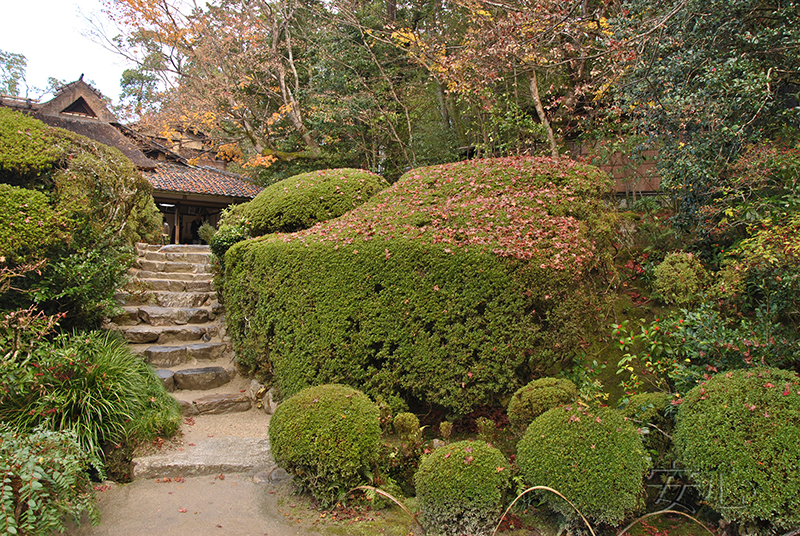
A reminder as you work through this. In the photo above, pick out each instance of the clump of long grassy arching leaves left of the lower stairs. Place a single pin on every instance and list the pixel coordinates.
(91, 384)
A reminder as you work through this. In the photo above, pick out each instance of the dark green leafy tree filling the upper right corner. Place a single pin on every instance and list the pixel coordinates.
(711, 78)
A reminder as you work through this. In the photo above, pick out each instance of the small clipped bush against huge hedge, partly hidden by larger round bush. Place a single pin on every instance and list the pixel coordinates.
(537, 397)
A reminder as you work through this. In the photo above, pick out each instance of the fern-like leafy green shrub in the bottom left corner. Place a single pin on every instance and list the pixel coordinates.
(43, 481)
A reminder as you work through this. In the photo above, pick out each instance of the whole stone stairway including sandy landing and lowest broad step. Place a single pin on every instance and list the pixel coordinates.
(171, 317)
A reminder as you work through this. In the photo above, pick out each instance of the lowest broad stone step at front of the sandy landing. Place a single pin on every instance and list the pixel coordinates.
(209, 456)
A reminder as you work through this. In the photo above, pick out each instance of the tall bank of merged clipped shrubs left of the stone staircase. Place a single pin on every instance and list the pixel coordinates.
(92, 203)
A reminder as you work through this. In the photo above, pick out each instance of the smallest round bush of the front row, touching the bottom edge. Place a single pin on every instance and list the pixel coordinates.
(461, 487)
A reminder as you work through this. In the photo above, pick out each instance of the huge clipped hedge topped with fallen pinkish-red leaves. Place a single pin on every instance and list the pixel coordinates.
(455, 286)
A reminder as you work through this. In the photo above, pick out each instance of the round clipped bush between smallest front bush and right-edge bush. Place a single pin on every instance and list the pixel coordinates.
(593, 457)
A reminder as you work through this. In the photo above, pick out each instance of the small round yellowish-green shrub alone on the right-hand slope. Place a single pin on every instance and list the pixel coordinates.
(679, 279)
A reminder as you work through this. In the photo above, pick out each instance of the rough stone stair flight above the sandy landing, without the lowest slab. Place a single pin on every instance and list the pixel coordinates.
(172, 317)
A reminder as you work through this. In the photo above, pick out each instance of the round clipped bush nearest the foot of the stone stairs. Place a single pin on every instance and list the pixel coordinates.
(328, 437)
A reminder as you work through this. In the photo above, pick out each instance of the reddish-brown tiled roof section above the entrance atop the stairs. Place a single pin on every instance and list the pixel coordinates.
(200, 180)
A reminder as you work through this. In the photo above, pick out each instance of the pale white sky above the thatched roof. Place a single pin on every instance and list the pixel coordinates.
(51, 35)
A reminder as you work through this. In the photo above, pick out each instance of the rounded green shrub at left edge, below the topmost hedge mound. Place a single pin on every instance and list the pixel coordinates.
(29, 225)
